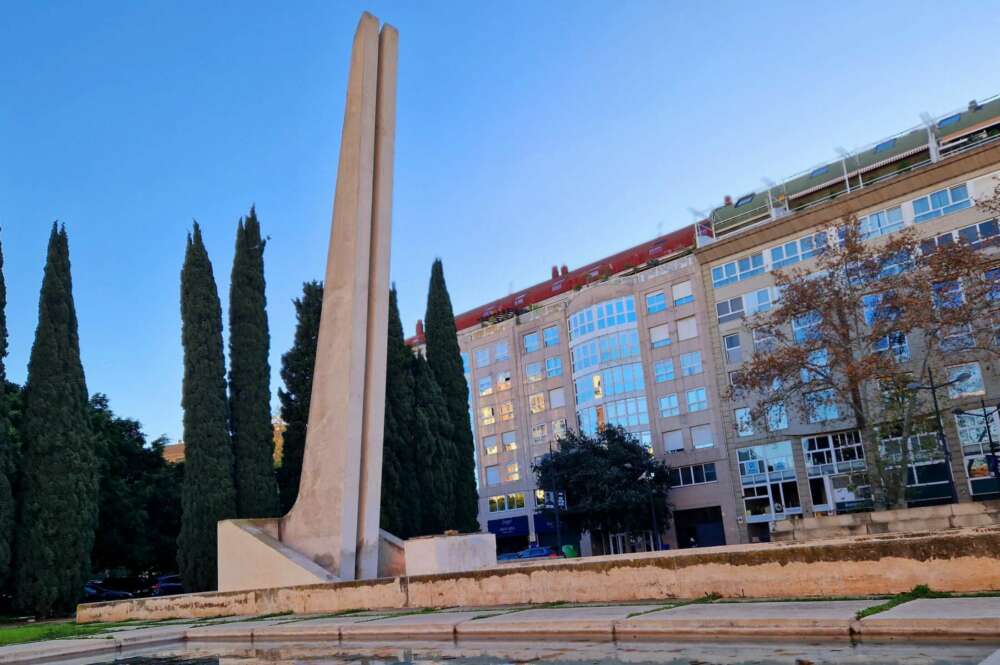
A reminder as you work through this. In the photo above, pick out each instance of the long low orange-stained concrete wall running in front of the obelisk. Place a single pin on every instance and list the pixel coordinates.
(959, 560)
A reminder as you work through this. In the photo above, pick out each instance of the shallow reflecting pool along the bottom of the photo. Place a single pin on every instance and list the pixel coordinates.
(582, 653)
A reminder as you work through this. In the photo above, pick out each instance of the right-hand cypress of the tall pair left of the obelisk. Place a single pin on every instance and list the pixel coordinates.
(250, 377)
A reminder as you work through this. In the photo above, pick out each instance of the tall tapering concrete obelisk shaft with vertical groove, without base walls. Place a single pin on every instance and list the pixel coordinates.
(335, 521)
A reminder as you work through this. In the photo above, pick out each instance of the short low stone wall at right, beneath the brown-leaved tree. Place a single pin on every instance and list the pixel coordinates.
(926, 519)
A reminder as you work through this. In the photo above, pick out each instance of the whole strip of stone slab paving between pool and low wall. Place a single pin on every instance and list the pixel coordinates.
(941, 619)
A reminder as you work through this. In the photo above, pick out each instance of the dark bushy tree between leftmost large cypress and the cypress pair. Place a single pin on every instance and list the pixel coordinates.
(139, 502)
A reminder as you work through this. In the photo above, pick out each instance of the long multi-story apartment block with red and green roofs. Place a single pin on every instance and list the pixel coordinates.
(648, 339)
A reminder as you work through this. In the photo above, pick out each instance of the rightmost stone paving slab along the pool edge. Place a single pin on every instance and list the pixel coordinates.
(937, 617)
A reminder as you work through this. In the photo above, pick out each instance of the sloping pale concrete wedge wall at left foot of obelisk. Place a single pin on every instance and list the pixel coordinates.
(253, 557)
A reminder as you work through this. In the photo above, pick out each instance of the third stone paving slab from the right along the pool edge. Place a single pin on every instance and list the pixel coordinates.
(569, 621)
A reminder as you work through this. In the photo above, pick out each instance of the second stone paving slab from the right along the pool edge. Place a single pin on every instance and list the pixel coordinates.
(814, 619)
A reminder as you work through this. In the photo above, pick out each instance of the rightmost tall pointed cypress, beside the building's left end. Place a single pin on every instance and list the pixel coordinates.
(445, 361)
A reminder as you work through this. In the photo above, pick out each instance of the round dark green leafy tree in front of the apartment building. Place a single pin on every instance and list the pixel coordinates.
(609, 481)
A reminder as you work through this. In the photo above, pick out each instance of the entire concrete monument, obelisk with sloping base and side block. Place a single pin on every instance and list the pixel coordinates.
(332, 532)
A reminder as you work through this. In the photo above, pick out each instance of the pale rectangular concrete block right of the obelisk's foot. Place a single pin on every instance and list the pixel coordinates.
(431, 555)
